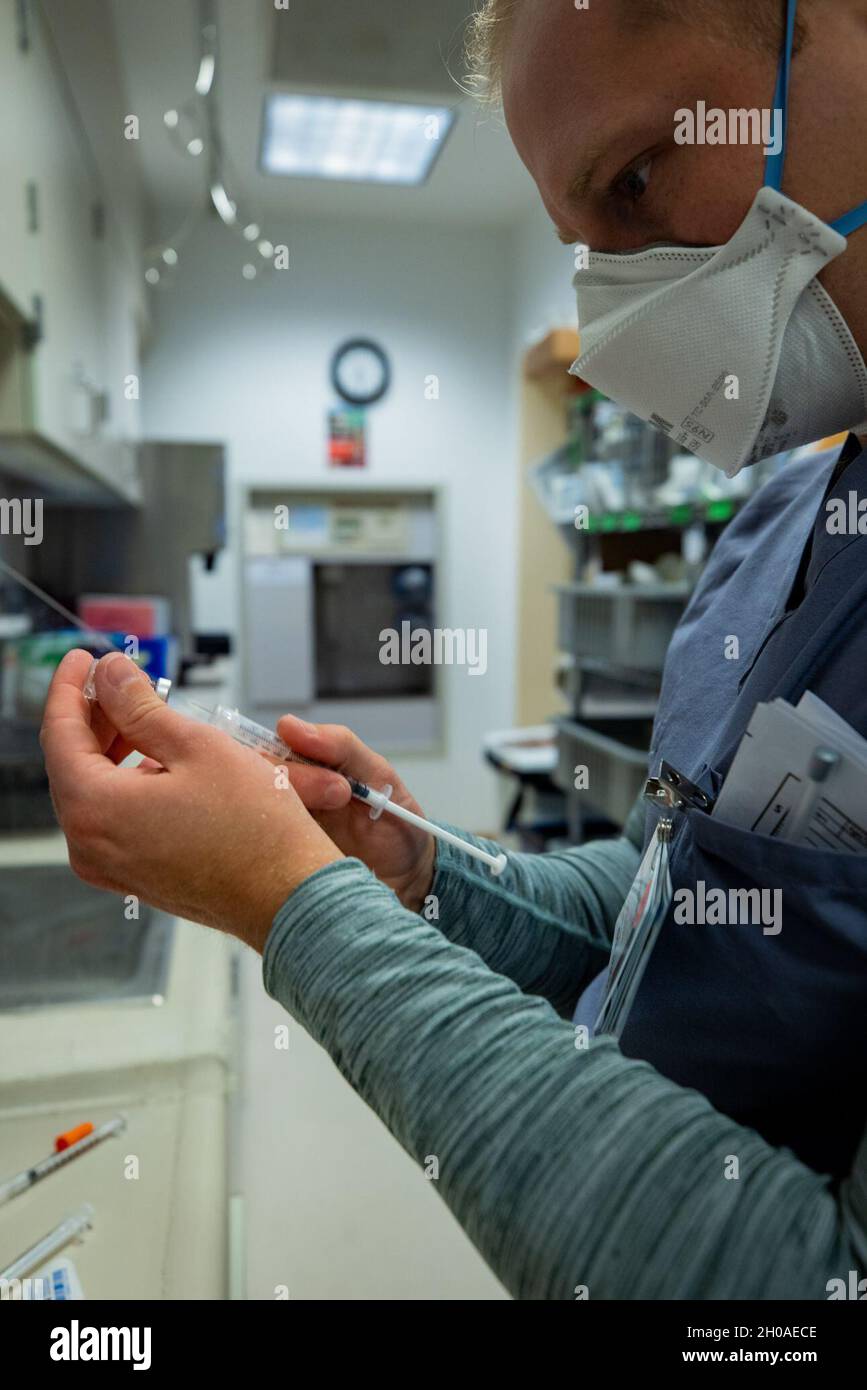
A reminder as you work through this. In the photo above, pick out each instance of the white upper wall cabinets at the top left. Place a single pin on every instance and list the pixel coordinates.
(60, 269)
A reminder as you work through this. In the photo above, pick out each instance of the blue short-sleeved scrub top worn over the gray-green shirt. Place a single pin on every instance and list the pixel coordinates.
(769, 1028)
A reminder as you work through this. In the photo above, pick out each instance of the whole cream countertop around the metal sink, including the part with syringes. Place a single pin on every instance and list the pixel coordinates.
(160, 1191)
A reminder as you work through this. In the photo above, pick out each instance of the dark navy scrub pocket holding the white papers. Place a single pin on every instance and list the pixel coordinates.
(757, 990)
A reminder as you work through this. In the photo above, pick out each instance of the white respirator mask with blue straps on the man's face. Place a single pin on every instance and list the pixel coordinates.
(736, 352)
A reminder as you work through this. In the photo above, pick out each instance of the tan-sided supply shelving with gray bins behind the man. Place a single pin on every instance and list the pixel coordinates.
(591, 654)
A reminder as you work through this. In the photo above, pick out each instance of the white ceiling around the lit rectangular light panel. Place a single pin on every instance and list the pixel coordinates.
(479, 181)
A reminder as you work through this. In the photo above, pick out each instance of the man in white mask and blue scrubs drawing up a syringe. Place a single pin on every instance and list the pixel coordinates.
(448, 999)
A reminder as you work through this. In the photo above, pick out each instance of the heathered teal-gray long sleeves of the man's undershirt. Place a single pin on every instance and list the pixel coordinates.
(575, 1171)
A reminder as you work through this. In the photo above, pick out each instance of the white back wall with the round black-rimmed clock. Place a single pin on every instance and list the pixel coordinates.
(248, 365)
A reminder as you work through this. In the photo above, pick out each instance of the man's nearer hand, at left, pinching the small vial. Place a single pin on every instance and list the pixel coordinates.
(202, 829)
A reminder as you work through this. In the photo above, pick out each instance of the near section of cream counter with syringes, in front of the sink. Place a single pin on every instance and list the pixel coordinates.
(159, 1191)
